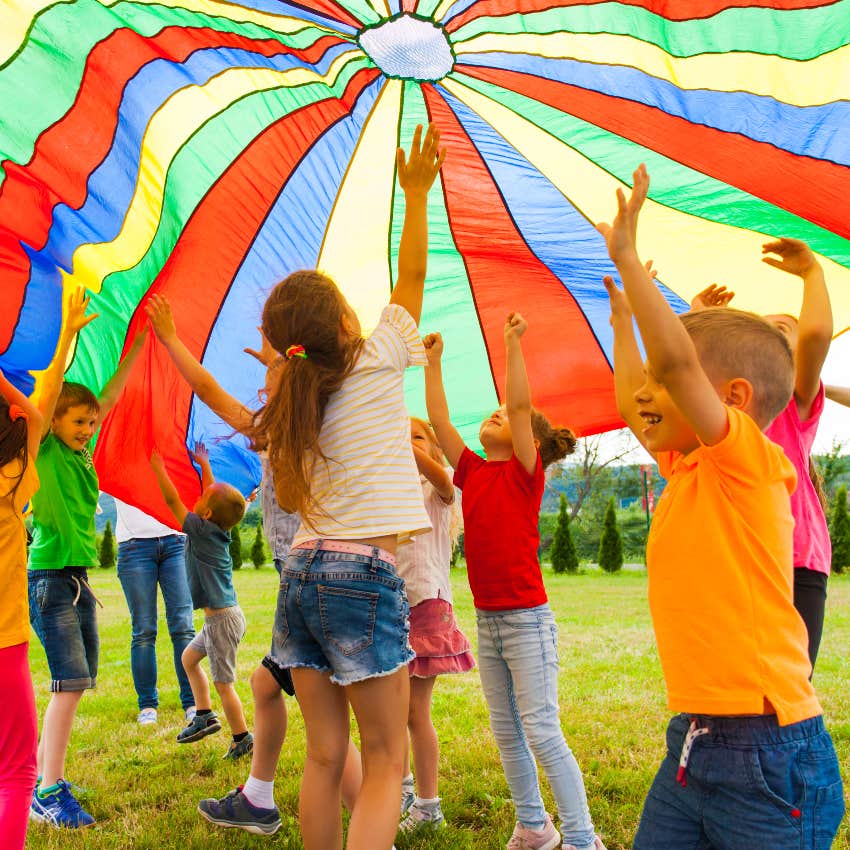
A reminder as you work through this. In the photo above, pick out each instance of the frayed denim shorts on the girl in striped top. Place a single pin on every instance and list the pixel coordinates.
(342, 613)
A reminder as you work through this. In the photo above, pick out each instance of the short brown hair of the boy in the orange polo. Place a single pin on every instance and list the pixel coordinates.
(736, 344)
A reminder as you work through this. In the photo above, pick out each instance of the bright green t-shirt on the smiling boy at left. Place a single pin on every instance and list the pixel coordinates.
(63, 508)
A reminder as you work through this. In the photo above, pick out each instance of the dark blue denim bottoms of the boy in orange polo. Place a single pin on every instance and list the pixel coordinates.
(750, 783)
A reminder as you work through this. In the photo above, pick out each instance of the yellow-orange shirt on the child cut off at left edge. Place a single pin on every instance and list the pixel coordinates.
(14, 607)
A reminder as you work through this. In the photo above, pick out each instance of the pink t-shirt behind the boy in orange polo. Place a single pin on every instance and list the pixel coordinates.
(812, 547)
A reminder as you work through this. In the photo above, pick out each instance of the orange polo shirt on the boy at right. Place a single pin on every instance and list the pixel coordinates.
(720, 565)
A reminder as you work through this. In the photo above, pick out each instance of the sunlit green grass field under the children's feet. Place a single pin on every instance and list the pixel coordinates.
(143, 788)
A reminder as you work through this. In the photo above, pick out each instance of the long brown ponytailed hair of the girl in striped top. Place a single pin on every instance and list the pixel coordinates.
(306, 309)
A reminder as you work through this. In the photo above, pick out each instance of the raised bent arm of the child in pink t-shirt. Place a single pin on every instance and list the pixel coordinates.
(814, 328)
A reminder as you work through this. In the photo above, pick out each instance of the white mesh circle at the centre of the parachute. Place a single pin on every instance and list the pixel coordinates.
(409, 48)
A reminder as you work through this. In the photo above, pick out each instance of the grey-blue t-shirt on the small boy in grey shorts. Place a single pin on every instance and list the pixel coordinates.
(209, 567)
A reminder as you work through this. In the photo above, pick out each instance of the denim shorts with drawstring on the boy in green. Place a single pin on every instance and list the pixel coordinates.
(63, 615)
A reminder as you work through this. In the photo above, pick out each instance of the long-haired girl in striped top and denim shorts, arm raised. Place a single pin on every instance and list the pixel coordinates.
(339, 449)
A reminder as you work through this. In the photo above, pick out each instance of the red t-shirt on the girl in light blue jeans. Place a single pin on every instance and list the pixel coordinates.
(501, 507)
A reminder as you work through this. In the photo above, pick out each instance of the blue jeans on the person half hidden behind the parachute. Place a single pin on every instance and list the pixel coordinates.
(142, 564)
